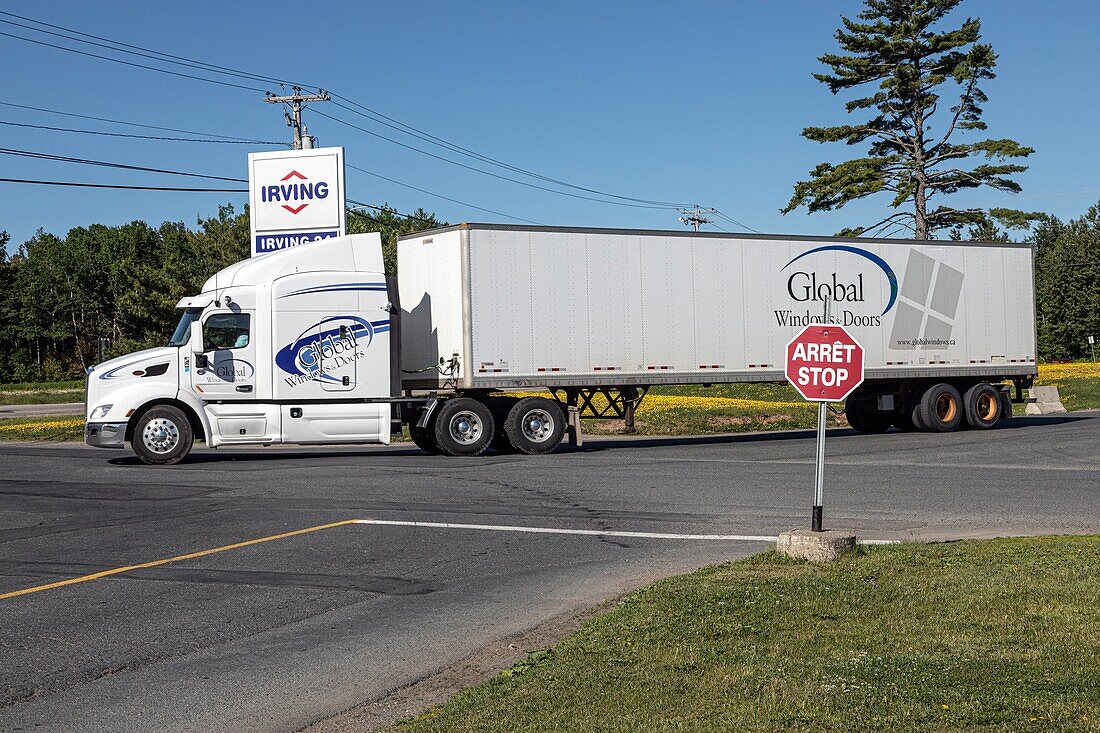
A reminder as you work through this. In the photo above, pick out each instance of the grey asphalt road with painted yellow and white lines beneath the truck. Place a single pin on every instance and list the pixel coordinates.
(277, 636)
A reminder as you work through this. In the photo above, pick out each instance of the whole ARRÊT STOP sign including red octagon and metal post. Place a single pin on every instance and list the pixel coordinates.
(826, 365)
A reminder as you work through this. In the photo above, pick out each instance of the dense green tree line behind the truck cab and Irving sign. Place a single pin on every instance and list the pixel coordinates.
(61, 296)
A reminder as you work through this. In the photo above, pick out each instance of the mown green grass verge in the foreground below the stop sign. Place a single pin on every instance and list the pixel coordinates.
(995, 636)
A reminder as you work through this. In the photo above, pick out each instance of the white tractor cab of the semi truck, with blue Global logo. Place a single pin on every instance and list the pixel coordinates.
(292, 347)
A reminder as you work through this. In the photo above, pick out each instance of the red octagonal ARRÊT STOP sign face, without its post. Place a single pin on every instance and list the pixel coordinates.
(824, 364)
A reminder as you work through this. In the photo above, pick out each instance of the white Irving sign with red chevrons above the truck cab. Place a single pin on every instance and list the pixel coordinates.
(296, 198)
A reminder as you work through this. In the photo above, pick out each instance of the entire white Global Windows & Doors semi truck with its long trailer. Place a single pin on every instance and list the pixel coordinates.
(315, 346)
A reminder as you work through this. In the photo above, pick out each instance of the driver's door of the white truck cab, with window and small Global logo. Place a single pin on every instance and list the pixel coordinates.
(230, 357)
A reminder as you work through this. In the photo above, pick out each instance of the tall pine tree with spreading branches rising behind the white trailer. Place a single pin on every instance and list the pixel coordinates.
(900, 62)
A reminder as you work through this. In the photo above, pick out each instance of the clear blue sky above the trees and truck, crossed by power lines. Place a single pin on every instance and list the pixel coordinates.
(694, 102)
